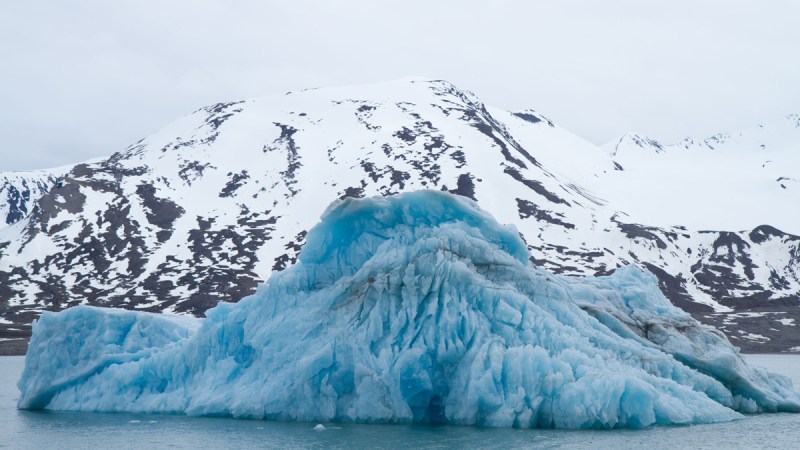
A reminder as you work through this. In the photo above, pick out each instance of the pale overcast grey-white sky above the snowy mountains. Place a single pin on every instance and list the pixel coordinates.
(80, 79)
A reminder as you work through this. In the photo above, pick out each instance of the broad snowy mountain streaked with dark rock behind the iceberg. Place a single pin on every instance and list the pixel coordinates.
(206, 208)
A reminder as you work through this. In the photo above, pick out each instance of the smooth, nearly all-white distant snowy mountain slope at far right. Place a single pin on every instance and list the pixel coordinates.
(728, 181)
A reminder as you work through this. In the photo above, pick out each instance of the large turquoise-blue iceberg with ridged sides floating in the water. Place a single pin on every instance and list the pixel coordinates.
(414, 308)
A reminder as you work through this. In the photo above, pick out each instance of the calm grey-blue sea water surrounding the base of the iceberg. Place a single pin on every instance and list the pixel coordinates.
(42, 429)
